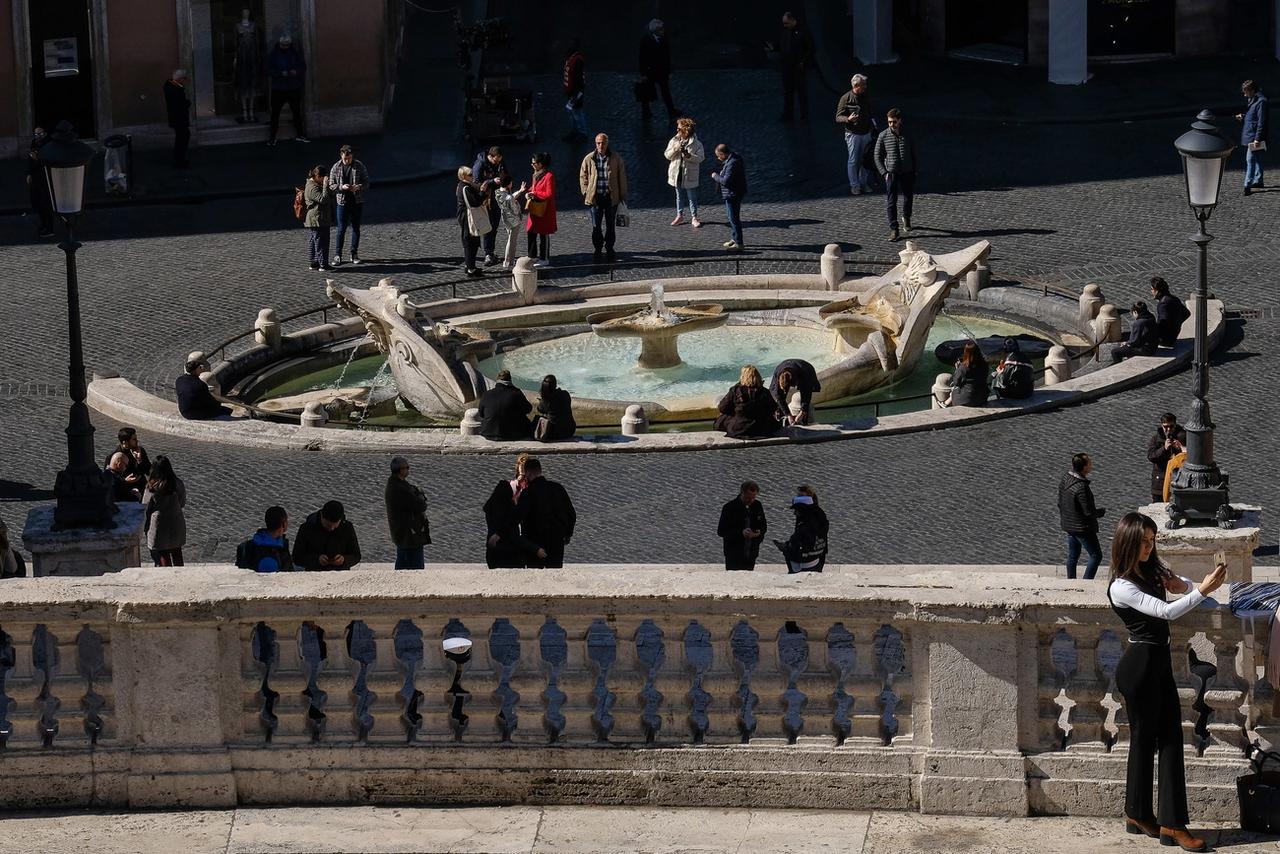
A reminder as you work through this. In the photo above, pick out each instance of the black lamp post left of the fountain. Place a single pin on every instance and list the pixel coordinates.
(83, 490)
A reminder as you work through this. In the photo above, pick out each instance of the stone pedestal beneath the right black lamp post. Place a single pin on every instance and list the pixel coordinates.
(1190, 550)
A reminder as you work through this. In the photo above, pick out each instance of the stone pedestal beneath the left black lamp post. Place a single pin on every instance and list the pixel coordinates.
(84, 551)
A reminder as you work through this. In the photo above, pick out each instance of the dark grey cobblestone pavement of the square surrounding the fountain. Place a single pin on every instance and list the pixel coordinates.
(1066, 205)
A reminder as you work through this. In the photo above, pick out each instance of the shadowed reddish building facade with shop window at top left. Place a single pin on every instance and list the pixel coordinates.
(102, 65)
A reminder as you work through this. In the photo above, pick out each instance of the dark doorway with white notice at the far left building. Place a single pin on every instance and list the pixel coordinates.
(62, 65)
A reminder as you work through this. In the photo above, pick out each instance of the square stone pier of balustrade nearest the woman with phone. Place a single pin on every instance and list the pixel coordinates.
(973, 765)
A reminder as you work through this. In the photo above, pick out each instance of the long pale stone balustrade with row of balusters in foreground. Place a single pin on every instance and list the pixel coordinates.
(940, 689)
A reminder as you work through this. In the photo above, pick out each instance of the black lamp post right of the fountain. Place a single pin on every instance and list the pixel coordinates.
(1199, 490)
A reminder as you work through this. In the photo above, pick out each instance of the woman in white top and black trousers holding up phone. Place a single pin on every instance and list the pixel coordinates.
(1139, 588)
